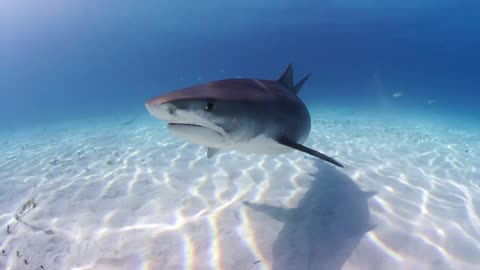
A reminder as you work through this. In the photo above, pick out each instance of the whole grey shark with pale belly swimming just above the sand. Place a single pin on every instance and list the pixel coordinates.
(246, 115)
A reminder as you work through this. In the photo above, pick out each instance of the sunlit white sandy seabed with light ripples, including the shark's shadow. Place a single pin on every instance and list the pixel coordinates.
(115, 196)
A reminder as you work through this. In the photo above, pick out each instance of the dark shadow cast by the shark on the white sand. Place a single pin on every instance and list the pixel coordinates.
(325, 228)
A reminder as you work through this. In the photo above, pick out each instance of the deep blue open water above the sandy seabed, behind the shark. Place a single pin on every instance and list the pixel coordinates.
(62, 60)
